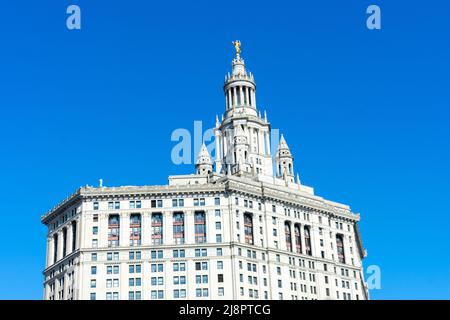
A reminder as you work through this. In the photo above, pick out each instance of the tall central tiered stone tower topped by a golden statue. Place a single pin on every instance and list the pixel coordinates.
(243, 136)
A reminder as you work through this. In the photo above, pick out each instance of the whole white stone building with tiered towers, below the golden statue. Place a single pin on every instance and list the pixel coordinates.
(244, 229)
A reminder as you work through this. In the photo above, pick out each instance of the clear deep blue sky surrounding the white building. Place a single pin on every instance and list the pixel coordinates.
(366, 113)
